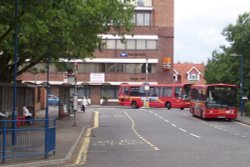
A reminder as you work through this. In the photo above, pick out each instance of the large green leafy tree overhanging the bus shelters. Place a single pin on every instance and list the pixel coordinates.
(67, 28)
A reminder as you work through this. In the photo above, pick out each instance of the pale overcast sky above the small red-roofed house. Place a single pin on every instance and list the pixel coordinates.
(198, 26)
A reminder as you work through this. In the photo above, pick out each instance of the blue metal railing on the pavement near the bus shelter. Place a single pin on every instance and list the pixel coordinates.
(30, 140)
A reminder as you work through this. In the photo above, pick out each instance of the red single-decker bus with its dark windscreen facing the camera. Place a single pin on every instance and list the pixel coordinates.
(214, 101)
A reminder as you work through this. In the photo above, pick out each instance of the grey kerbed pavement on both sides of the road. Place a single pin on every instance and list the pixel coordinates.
(68, 137)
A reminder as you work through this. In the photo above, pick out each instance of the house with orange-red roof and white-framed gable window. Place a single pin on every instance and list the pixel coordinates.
(189, 73)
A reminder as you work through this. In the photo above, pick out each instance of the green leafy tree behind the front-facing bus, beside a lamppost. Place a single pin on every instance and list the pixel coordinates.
(223, 67)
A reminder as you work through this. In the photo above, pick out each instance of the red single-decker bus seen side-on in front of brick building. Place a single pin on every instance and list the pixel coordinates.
(157, 96)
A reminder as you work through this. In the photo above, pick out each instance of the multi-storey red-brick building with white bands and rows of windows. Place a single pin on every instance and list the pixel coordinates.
(145, 56)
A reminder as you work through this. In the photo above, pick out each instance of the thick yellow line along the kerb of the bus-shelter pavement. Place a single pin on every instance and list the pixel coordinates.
(82, 155)
